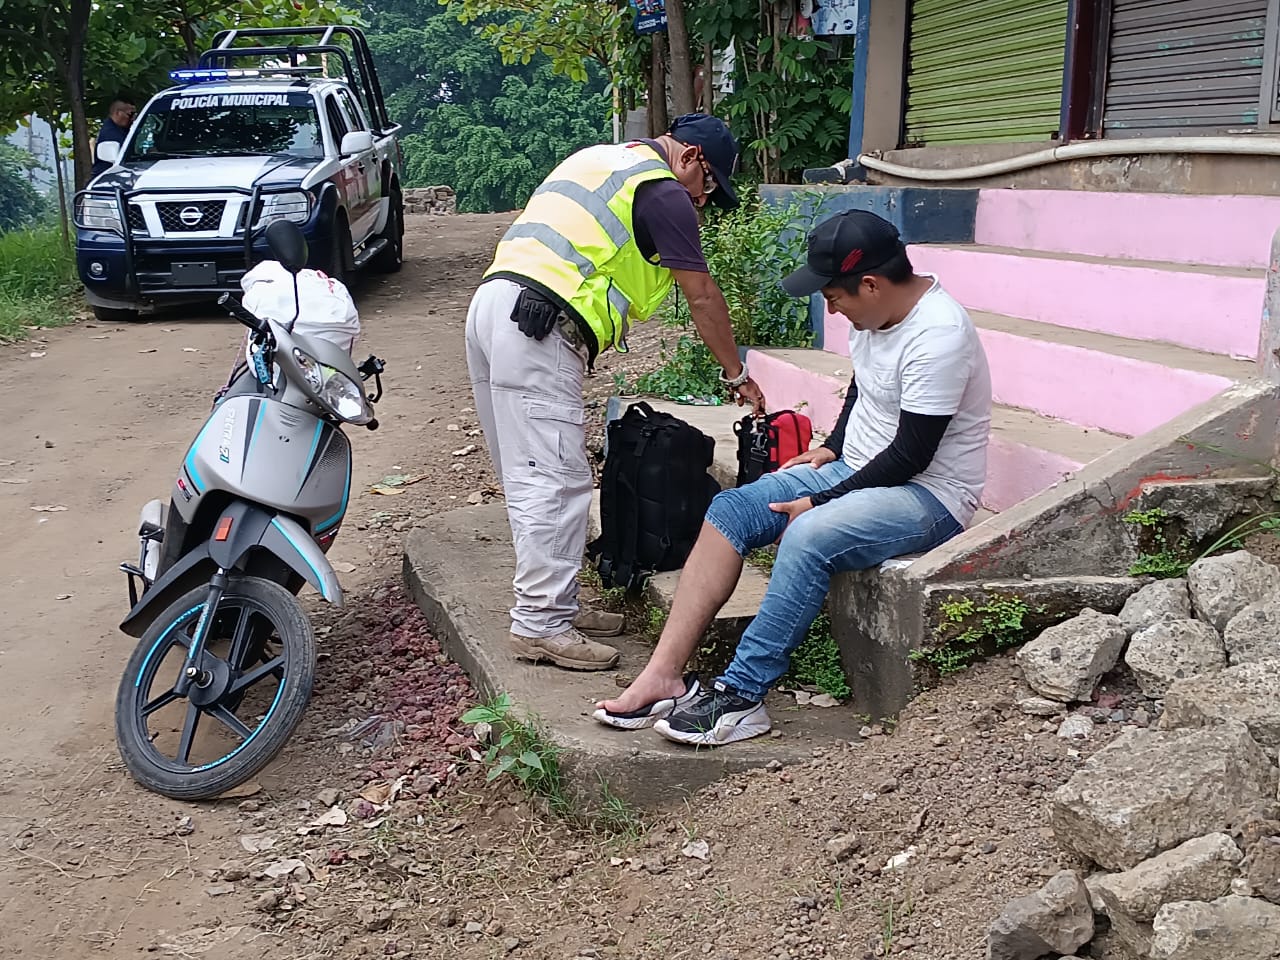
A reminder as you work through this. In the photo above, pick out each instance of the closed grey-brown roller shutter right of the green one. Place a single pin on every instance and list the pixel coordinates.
(1185, 67)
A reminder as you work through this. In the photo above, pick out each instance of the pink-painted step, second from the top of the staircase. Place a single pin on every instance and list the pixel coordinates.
(1218, 310)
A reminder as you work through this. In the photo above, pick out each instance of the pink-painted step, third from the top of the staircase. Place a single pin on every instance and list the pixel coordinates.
(1109, 383)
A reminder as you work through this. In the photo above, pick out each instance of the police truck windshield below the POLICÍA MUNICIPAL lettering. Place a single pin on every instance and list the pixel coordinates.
(228, 125)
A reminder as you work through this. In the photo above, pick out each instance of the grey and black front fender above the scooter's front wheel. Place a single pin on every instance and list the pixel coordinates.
(241, 528)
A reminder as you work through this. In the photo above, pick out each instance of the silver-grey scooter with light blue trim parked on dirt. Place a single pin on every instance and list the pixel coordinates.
(227, 656)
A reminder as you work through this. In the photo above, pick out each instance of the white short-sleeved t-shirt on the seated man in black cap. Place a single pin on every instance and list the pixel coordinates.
(931, 364)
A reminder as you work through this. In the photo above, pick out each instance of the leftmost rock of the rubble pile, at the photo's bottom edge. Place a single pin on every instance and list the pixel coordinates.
(1055, 920)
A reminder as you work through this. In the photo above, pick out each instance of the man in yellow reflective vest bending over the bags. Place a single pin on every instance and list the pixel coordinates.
(598, 248)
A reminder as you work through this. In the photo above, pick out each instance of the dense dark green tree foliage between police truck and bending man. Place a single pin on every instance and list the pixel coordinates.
(490, 131)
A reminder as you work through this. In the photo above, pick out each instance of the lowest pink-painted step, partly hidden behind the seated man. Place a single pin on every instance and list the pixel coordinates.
(1027, 452)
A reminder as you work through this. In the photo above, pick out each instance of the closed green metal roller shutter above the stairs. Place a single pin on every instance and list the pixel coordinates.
(985, 72)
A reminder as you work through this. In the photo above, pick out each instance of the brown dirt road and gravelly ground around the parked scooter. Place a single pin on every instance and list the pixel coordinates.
(92, 866)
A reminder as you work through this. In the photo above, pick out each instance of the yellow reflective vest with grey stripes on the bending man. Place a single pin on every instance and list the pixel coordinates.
(575, 239)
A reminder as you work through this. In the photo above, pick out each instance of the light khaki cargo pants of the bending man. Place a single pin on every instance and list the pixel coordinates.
(529, 399)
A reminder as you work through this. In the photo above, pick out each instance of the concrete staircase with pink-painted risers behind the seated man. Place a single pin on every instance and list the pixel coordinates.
(1105, 318)
